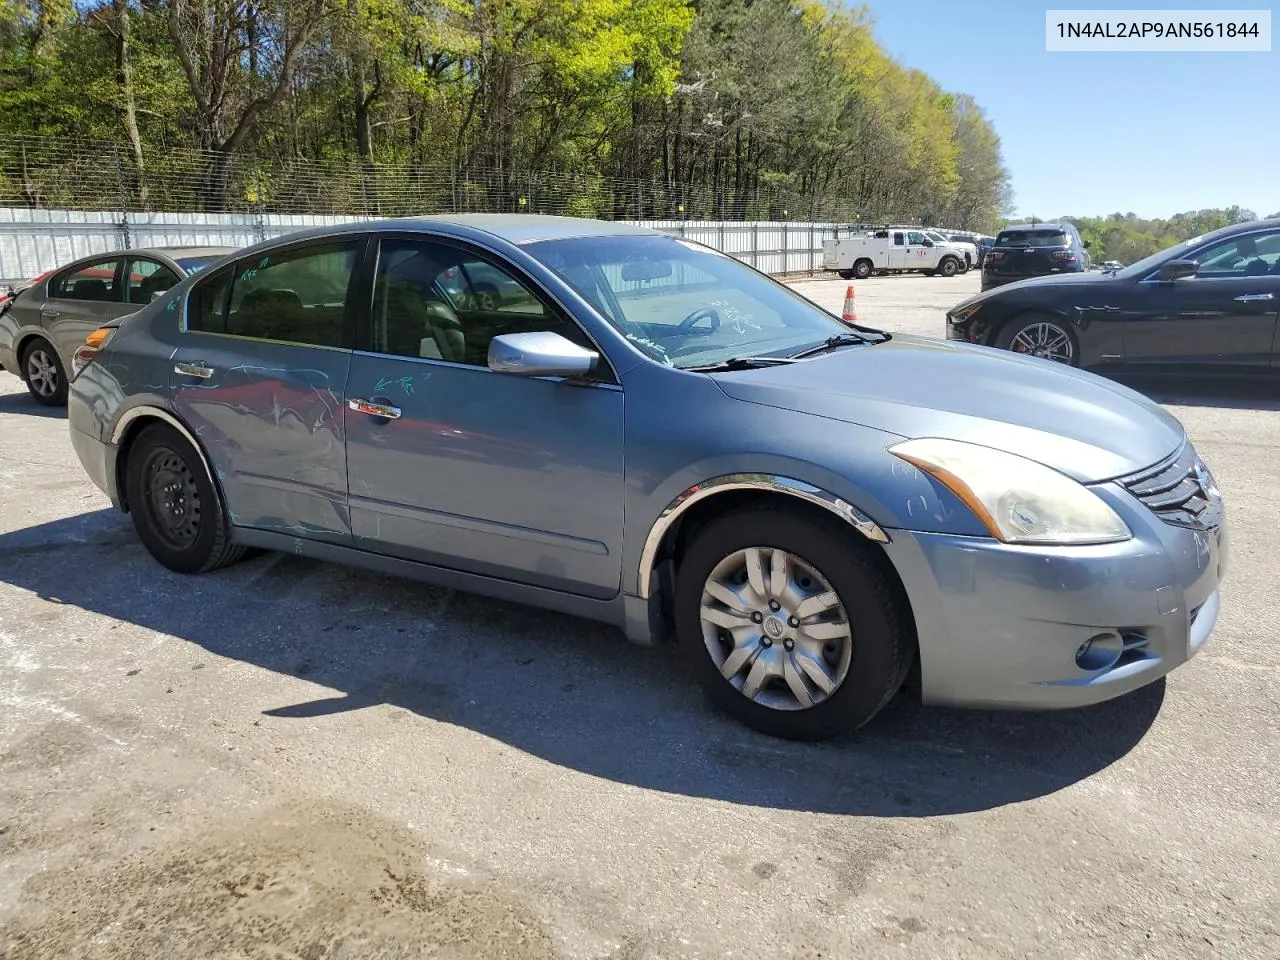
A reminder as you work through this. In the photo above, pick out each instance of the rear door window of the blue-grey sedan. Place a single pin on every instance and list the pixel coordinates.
(298, 295)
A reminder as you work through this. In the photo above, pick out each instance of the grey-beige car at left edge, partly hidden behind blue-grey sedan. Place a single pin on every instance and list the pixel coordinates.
(48, 319)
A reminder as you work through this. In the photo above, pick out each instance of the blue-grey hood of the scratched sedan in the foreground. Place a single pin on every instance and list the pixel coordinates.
(1077, 423)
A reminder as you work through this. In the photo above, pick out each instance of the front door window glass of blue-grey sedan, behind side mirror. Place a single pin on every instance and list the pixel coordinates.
(441, 303)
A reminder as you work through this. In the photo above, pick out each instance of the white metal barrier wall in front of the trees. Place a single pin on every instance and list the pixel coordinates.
(34, 241)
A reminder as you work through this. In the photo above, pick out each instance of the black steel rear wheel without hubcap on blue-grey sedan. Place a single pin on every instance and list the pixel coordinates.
(176, 509)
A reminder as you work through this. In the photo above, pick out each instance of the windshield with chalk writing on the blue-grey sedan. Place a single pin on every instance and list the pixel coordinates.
(683, 304)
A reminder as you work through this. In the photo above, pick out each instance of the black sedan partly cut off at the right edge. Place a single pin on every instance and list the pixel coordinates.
(1210, 303)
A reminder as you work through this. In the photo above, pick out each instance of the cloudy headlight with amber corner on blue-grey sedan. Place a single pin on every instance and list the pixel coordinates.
(1018, 500)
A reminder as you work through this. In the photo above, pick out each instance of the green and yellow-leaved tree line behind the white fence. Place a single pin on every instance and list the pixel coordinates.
(770, 108)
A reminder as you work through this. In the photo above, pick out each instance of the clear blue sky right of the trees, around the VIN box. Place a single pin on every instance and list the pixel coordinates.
(1094, 134)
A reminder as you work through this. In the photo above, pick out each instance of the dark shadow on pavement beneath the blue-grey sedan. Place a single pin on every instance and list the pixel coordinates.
(566, 691)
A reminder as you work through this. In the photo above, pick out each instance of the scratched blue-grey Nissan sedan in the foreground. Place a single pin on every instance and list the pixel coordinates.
(664, 440)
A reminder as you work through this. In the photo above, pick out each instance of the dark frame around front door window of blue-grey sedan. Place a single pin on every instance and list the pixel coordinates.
(605, 374)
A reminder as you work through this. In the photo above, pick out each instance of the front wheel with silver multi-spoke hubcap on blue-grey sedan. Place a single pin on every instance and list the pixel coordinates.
(792, 628)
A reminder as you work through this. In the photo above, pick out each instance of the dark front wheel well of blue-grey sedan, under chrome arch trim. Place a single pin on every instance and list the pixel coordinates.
(685, 529)
